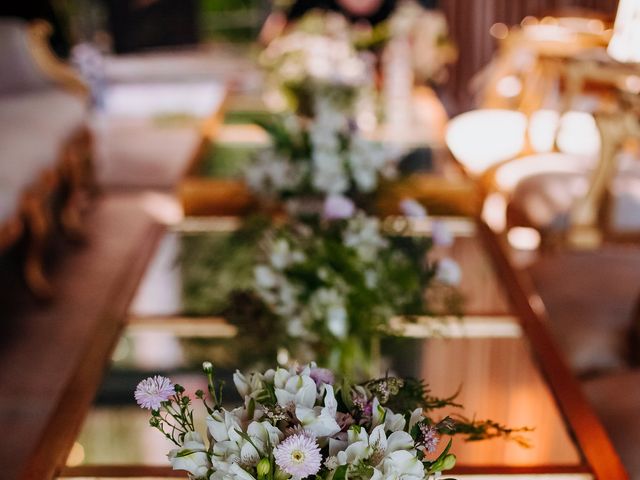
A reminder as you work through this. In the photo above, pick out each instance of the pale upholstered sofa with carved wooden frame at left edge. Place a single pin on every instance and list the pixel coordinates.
(43, 141)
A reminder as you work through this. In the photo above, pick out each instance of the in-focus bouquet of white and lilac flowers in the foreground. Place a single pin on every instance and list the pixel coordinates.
(301, 423)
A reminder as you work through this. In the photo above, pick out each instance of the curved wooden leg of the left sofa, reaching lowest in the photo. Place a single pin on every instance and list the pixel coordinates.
(39, 225)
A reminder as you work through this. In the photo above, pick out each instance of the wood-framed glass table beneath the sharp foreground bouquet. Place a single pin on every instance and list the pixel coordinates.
(499, 353)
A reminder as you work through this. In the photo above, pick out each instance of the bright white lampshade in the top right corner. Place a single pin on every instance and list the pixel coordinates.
(625, 43)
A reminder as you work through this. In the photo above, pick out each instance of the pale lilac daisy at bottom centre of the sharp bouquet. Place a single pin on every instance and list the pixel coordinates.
(299, 456)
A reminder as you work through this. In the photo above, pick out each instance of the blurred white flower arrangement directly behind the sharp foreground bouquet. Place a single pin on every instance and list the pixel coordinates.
(333, 290)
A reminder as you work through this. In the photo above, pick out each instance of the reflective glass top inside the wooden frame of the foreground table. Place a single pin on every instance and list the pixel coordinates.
(485, 353)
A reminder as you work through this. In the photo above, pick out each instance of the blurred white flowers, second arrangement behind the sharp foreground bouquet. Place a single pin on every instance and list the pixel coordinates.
(313, 159)
